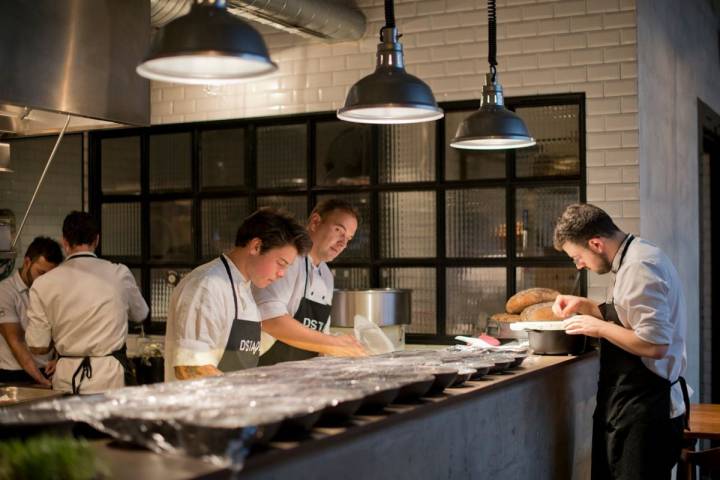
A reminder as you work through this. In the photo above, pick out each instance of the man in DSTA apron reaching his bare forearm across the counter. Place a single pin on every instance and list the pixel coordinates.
(298, 305)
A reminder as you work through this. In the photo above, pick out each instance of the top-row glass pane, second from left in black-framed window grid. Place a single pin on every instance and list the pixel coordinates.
(170, 161)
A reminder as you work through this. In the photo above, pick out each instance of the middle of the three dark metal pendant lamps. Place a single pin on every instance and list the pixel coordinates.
(390, 94)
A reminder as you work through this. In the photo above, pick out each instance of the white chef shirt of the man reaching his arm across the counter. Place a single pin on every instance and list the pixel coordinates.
(282, 297)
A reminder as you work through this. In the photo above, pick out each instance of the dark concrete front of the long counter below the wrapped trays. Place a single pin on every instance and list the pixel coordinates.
(533, 423)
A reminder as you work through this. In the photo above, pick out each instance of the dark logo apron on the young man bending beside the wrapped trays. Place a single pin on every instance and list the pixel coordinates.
(243, 346)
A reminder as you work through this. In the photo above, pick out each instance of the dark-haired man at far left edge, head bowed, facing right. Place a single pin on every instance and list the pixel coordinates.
(17, 364)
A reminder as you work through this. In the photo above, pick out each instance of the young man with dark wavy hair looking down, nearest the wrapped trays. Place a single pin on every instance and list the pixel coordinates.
(213, 323)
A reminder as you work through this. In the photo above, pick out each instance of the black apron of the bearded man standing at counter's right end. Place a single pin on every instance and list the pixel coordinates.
(633, 436)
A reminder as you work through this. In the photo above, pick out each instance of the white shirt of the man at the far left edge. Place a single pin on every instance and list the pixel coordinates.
(13, 309)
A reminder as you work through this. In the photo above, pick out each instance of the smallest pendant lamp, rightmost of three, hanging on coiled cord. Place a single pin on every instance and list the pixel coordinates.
(492, 127)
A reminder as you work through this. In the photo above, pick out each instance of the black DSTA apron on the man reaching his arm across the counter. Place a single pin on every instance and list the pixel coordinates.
(311, 314)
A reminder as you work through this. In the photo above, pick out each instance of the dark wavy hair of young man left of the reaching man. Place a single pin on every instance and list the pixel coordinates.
(275, 228)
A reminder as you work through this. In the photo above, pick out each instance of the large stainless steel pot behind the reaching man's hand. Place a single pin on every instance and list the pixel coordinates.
(382, 306)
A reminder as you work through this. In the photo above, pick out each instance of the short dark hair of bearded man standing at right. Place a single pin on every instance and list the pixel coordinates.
(581, 222)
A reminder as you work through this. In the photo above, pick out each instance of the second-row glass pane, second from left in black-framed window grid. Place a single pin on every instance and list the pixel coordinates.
(171, 230)
